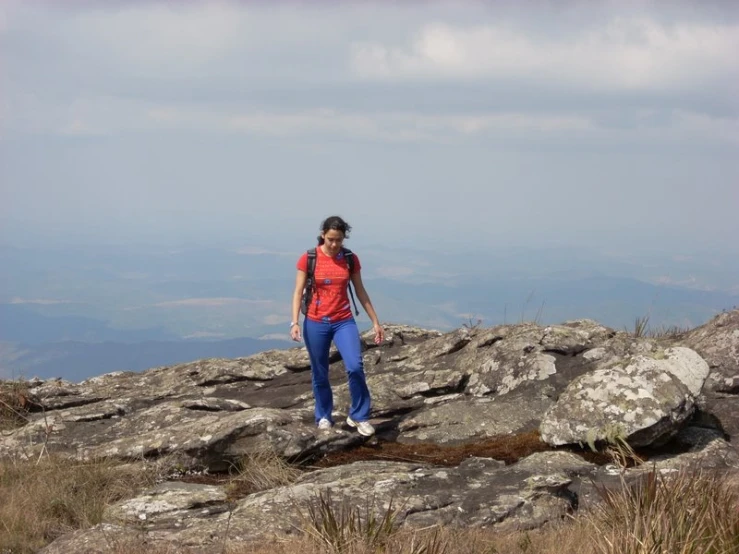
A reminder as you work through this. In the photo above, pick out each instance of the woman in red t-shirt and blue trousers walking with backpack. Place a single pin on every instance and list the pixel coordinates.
(329, 318)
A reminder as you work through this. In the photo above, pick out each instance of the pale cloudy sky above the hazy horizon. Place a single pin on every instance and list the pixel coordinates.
(425, 124)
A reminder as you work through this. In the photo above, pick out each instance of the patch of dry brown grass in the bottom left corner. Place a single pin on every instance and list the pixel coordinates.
(41, 501)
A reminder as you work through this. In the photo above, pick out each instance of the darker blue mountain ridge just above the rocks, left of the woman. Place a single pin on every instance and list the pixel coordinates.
(76, 361)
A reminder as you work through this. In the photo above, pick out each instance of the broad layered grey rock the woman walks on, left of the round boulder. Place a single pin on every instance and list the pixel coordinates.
(209, 412)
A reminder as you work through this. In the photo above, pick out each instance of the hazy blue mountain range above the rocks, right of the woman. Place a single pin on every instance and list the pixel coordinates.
(612, 301)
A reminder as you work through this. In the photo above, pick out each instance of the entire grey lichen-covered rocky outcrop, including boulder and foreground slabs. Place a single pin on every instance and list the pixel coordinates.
(577, 383)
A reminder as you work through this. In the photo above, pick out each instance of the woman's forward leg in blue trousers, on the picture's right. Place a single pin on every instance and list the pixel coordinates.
(346, 338)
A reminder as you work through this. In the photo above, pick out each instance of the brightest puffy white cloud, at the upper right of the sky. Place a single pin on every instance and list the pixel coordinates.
(627, 53)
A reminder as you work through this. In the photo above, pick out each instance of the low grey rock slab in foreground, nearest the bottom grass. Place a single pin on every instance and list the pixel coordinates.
(479, 492)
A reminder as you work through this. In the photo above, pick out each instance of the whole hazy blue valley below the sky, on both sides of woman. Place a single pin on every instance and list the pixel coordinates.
(86, 311)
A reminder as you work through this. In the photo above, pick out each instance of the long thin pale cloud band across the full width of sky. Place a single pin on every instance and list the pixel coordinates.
(110, 116)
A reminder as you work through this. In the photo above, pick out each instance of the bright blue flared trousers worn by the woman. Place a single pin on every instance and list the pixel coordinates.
(318, 336)
